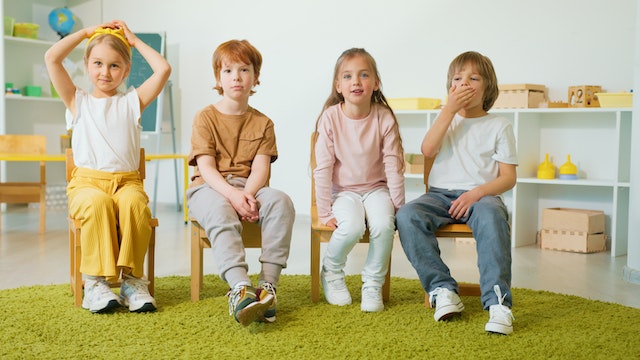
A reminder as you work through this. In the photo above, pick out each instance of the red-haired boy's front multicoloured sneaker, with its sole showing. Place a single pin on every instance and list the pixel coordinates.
(245, 305)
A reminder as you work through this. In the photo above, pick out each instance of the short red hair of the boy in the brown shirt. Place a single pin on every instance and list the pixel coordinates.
(236, 51)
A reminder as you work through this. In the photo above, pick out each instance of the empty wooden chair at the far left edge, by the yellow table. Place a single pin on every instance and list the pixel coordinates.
(26, 192)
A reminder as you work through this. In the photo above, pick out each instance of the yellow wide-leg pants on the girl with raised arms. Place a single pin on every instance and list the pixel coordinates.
(114, 211)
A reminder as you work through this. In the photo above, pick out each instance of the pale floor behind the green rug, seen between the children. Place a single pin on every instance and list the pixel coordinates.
(27, 258)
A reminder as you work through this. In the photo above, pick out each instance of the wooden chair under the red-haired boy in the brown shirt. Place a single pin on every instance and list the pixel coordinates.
(251, 238)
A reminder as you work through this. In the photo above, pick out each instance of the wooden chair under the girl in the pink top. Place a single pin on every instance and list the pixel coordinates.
(321, 233)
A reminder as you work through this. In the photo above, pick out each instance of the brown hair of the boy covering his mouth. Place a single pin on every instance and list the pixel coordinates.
(485, 68)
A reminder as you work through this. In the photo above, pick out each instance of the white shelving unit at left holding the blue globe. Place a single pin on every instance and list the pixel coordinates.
(23, 64)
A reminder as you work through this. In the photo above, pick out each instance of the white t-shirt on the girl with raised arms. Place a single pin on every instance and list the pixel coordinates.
(106, 131)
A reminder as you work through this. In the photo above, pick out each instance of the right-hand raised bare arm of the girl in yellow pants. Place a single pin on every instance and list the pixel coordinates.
(152, 87)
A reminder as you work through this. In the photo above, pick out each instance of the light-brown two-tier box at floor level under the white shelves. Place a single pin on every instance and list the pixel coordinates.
(575, 230)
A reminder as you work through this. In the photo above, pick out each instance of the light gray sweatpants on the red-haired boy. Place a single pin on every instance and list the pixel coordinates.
(223, 227)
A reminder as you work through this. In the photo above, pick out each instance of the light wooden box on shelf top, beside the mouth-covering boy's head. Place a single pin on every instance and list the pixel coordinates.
(520, 96)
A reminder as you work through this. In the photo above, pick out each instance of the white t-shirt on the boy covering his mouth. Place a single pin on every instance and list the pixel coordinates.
(471, 150)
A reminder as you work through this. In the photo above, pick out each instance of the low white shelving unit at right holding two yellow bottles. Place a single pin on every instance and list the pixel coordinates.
(599, 142)
